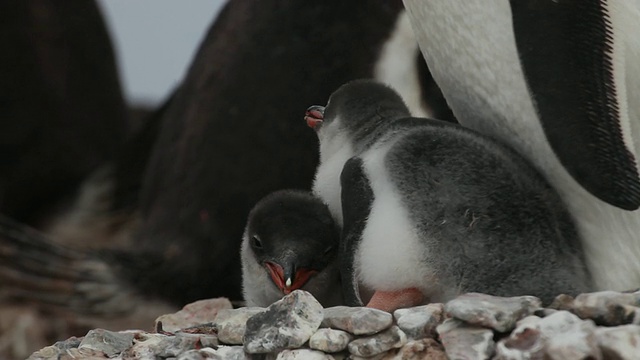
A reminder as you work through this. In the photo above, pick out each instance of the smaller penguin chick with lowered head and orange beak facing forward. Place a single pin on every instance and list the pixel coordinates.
(290, 242)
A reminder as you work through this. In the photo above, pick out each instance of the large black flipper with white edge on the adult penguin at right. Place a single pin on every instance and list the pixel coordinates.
(580, 69)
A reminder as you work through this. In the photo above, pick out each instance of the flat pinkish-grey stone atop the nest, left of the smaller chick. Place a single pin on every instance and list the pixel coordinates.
(199, 312)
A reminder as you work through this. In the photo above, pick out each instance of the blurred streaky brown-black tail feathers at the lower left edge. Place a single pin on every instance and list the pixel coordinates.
(37, 270)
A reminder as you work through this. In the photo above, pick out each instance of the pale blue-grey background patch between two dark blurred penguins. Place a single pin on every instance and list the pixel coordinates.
(154, 42)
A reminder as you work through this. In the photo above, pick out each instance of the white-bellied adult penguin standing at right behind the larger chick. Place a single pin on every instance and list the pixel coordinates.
(560, 82)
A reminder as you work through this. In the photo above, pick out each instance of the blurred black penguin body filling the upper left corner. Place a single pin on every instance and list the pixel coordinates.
(62, 114)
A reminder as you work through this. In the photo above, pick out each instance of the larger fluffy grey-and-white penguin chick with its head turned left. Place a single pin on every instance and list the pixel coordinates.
(431, 210)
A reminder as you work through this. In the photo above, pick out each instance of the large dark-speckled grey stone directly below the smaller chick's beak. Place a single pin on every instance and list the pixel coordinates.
(286, 324)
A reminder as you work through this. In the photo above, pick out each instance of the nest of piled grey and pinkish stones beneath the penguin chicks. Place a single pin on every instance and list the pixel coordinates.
(602, 325)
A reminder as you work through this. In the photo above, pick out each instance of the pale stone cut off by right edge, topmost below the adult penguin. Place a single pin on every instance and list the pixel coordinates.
(609, 308)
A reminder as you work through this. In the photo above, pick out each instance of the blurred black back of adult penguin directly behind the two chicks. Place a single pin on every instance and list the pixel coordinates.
(231, 134)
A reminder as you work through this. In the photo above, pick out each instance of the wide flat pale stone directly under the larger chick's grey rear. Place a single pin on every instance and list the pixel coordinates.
(499, 313)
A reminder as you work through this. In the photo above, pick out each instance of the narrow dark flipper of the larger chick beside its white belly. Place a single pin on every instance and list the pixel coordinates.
(357, 198)
